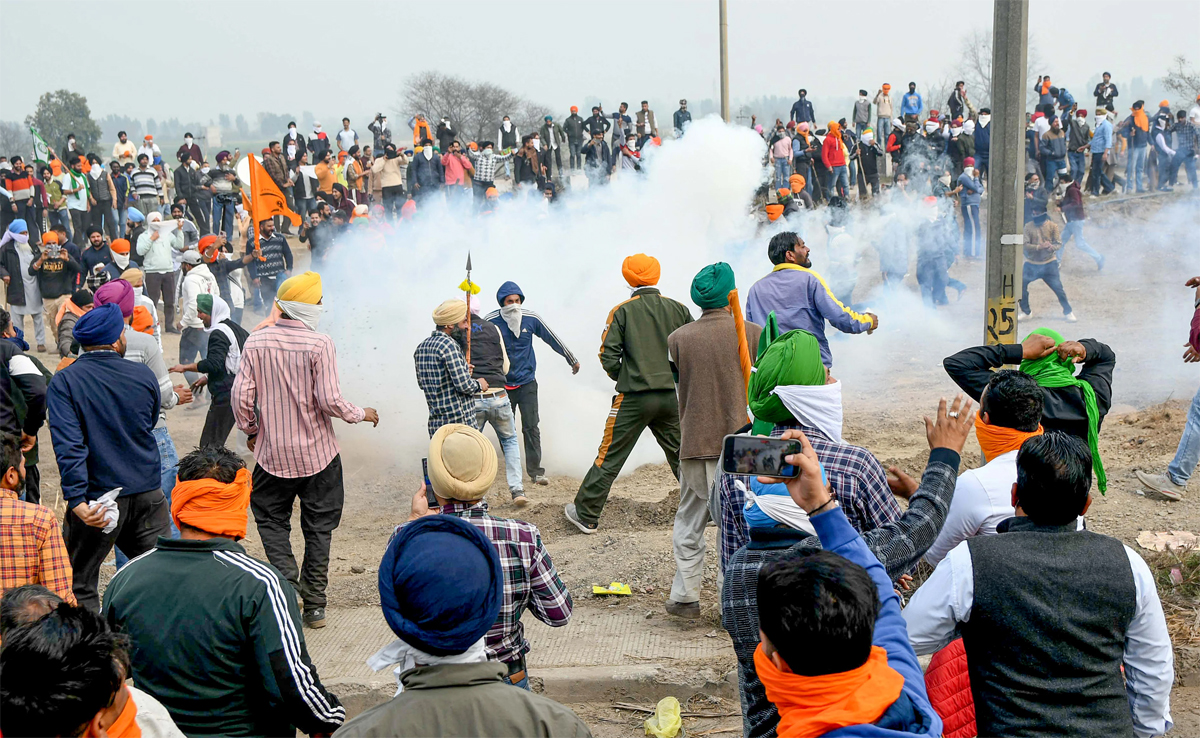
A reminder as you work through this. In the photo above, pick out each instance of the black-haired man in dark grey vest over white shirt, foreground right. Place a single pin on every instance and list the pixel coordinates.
(1103, 665)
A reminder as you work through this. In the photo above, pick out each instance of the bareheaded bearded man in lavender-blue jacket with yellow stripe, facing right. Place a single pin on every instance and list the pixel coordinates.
(800, 297)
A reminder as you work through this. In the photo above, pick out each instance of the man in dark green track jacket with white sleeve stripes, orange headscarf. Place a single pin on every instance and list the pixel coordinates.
(250, 674)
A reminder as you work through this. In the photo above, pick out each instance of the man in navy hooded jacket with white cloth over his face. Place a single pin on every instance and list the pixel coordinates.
(518, 327)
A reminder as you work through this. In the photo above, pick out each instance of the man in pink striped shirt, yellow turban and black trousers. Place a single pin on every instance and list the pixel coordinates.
(285, 397)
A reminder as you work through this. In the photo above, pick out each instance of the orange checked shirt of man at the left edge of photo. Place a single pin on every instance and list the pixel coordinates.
(32, 549)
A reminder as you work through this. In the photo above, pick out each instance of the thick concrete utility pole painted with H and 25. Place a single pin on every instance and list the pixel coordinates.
(1006, 201)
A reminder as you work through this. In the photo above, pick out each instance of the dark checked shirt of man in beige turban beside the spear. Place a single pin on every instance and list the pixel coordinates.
(446, 380)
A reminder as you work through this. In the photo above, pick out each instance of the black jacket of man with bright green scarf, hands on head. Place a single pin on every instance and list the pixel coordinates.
(973, 369)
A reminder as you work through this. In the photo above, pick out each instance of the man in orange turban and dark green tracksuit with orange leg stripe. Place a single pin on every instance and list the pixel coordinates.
(634, 355)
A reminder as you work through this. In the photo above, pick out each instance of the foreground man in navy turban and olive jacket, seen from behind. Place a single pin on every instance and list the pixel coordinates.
(442, 589)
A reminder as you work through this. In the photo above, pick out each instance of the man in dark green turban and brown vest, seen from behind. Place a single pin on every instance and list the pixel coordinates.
(711, 381)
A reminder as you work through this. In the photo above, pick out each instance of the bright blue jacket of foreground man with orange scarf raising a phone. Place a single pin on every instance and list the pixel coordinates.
(911, 715)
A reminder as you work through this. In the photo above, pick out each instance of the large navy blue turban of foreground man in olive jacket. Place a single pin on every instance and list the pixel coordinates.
(441, 585)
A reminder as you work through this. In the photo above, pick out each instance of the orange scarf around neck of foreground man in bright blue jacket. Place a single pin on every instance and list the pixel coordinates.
(814, 706)
